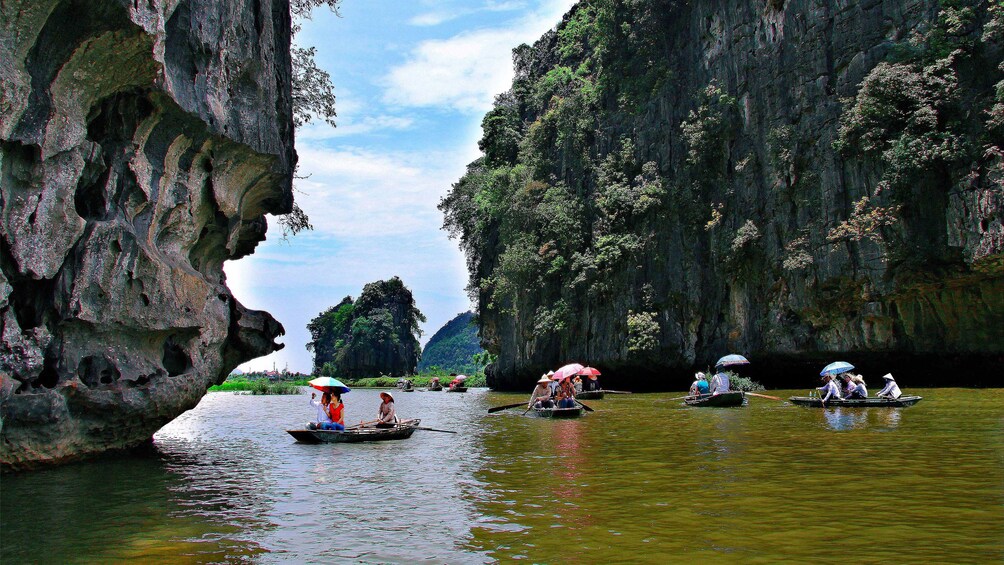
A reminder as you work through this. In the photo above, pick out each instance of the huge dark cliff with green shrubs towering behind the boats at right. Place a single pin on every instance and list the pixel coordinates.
(797, 181)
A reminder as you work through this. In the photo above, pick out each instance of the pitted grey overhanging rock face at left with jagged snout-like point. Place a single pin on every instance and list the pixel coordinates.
(141, 146)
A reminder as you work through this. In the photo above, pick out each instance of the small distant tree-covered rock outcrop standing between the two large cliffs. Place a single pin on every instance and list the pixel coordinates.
(376, 335)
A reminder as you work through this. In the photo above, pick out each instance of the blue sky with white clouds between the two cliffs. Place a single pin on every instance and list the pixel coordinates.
(413, 80)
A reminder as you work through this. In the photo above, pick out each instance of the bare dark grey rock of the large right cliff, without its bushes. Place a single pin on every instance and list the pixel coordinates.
(790, 66)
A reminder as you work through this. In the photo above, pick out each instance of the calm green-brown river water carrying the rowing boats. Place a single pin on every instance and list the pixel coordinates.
(644, 479)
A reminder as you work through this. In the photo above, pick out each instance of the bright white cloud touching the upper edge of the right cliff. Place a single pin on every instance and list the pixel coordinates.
(465, 72)
